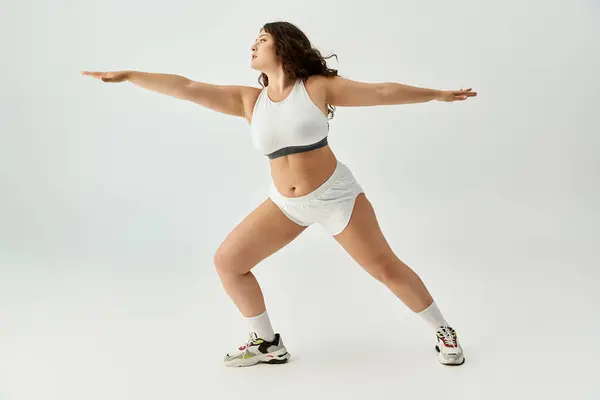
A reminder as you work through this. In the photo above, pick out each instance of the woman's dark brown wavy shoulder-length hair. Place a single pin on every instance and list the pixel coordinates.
(298, 57)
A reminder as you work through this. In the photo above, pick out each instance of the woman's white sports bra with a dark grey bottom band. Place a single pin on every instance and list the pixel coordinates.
(292, 125)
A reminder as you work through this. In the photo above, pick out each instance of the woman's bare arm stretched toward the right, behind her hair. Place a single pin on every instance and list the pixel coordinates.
(345, 92)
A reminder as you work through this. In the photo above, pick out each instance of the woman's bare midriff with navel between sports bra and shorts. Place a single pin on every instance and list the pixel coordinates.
(296, 175)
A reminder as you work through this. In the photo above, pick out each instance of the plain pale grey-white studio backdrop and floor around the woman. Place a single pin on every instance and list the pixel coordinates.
(113, 200)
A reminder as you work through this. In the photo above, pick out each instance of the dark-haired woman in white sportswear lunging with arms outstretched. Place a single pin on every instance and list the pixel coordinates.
(288, 120)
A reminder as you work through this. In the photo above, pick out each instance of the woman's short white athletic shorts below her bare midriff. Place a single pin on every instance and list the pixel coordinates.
(329, 205)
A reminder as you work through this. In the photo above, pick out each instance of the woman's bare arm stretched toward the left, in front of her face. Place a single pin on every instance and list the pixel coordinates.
(233, 100)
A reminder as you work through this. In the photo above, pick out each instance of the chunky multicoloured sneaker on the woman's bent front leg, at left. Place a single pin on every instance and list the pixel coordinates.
(257, 350)
